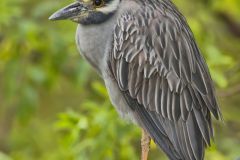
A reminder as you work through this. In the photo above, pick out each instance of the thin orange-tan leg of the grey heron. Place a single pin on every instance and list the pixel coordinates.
(145, 144)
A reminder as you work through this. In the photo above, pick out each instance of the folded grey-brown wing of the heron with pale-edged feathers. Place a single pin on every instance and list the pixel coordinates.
(164, 78)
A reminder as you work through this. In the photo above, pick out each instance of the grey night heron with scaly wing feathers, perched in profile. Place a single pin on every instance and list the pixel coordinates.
(152, 69)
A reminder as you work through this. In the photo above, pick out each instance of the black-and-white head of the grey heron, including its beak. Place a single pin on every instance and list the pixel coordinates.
(87, 11)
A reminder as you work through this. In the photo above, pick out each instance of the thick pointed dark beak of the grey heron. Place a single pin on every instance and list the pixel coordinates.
(68, 12)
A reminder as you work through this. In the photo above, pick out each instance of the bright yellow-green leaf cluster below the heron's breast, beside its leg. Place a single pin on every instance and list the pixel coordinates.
(95, 133)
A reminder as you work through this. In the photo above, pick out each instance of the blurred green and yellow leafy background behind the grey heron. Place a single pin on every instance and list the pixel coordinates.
(53, 106)
